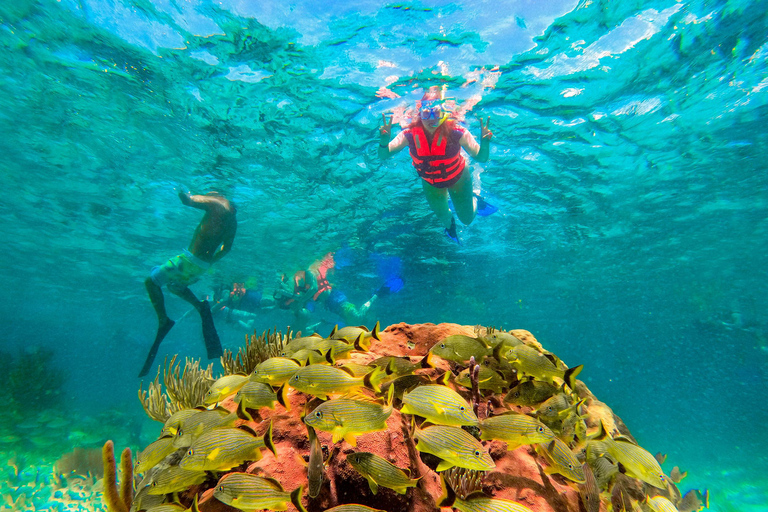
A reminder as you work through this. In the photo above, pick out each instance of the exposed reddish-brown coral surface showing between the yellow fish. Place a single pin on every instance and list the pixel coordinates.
(521, 474)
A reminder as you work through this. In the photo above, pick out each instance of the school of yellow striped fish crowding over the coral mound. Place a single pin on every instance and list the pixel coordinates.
(538, 402)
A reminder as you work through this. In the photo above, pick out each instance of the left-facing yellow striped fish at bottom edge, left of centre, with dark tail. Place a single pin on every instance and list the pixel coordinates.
(251, 492)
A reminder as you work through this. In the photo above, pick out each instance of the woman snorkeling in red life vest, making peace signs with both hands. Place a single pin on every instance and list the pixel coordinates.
(435, 144)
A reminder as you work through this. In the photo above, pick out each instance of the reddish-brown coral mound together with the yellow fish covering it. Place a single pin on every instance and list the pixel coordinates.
(578, 453)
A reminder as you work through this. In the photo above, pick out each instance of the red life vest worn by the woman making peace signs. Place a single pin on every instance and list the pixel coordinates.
(440, 163)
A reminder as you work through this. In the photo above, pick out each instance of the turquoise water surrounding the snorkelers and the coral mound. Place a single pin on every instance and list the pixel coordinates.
(628, 165)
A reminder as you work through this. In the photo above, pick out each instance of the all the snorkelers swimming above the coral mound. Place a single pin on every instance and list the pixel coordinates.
(434, 141)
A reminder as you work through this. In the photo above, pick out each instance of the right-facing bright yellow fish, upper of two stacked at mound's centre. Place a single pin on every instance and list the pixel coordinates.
(438, 404)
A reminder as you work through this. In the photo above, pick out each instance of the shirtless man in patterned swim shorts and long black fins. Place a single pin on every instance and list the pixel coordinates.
(211, 241)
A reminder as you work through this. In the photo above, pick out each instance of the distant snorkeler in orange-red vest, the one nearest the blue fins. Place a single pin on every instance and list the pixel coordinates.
(311, 286)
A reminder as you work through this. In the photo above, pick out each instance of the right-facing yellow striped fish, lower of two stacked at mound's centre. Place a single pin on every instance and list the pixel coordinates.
(455, 446)
